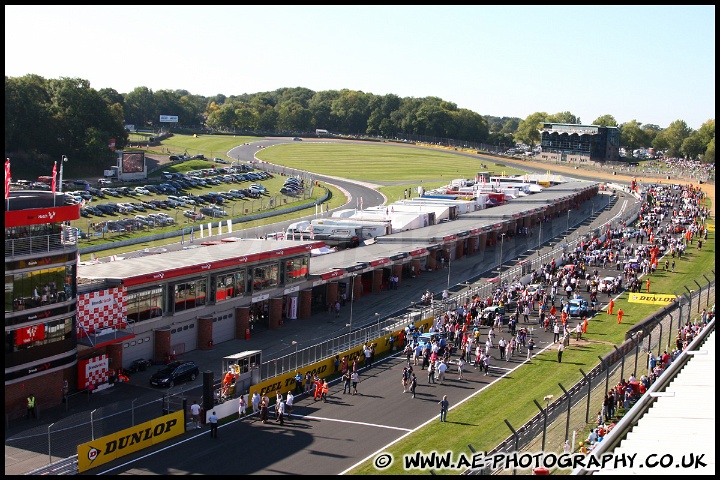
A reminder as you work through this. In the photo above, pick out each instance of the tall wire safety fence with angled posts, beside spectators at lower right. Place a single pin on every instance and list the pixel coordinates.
(571, 416)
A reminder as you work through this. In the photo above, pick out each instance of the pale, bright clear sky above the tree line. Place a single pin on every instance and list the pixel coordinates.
(652, 64)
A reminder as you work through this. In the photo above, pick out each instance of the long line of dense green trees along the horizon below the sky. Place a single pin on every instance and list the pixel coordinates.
(47, 118)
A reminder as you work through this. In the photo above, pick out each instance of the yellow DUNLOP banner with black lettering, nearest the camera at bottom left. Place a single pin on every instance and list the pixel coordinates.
(106, 449)
